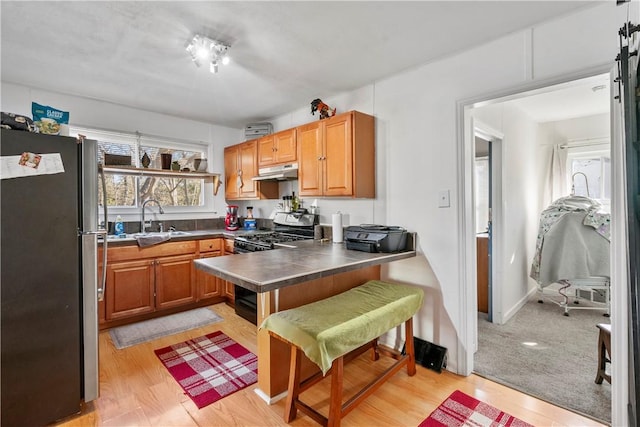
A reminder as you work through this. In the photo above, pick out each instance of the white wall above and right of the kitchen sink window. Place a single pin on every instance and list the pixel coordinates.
(90, 113)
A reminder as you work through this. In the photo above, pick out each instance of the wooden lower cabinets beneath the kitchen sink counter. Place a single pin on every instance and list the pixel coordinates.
(144, 282)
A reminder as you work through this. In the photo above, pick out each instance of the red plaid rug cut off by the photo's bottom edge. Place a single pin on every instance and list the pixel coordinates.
(463, 410)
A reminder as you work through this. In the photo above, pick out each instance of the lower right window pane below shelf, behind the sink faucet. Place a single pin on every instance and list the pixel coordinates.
(171, 191)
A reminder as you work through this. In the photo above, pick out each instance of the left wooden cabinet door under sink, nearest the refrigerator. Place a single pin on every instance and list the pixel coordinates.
(129, 289)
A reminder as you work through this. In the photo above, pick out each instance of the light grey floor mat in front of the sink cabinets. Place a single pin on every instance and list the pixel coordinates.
(136, 333)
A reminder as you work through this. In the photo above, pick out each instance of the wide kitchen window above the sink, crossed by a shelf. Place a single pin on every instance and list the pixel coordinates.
(129, 192)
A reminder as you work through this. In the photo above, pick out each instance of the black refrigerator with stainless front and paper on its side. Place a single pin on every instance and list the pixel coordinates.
(48, 270)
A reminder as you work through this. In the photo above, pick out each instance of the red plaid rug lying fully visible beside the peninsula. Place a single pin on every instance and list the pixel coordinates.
(210, 367)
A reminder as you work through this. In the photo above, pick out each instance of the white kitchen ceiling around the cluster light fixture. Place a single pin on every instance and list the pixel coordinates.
(284, 54)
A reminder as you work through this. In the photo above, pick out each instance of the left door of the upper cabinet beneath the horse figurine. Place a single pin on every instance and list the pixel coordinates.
(310, 159)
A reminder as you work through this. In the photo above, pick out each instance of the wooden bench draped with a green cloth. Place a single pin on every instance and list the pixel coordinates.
(337, 329)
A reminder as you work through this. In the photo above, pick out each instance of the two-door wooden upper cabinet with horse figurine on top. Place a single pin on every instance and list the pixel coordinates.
(336, 156)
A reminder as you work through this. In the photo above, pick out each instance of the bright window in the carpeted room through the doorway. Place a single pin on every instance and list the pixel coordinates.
(589, 173)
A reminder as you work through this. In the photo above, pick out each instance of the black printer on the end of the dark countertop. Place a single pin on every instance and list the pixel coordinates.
(375, 238)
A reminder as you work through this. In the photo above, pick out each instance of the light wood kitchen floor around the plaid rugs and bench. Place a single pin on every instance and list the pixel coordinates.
(136, 390)
